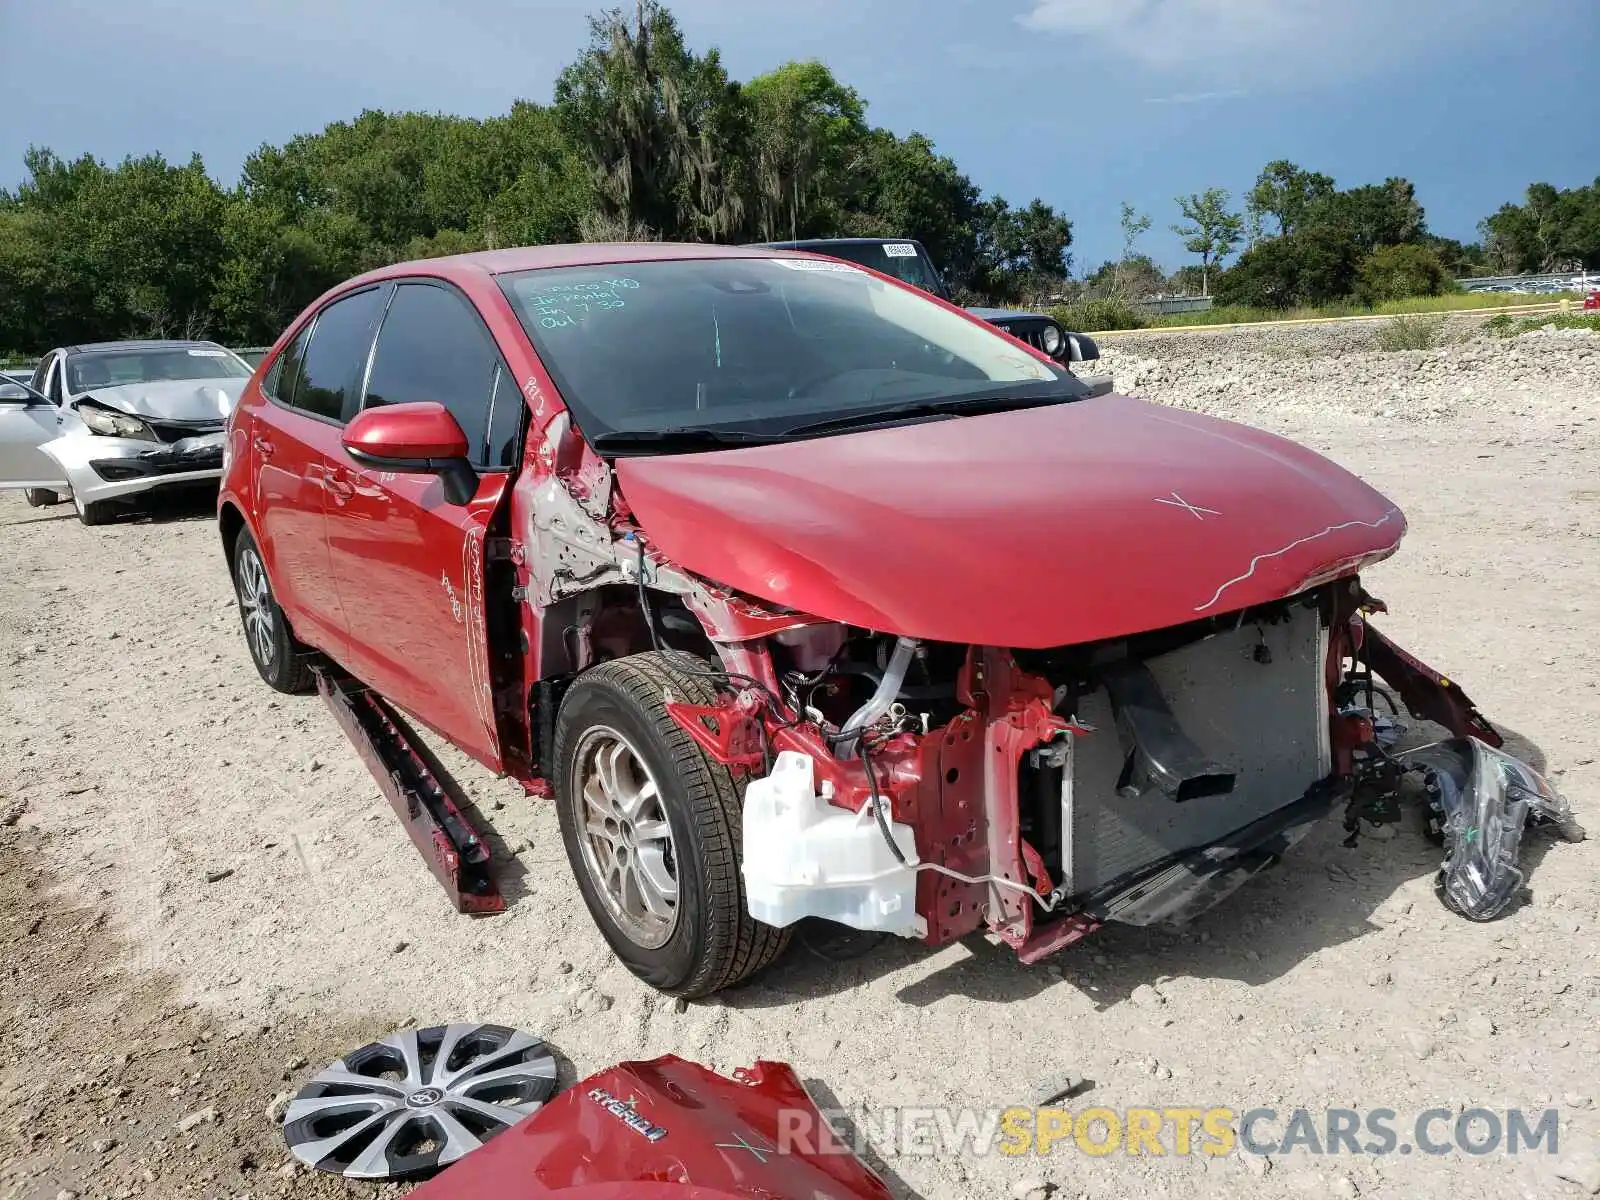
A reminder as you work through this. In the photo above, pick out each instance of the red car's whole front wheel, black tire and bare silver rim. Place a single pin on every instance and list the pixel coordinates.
(652, 828)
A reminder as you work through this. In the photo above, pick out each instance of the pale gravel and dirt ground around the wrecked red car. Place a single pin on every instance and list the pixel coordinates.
(143, 758)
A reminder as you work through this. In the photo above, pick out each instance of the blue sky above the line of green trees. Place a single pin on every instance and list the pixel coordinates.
(1084, 103)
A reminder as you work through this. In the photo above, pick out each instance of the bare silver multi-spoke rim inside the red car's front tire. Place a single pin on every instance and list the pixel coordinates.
(626, 839)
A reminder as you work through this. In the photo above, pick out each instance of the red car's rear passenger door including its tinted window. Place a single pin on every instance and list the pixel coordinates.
(311, 393)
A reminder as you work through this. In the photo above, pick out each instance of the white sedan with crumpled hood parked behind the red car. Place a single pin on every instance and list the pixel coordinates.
(113, 420)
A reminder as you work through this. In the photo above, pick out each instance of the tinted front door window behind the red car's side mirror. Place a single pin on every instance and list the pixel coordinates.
(434, 346)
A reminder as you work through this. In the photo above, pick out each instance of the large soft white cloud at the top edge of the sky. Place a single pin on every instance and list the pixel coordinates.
(1266, 39)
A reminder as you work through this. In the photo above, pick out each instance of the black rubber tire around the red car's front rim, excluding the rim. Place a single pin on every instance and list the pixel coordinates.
(714, 942)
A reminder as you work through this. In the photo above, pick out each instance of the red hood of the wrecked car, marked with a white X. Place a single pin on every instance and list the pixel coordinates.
(1031, 529)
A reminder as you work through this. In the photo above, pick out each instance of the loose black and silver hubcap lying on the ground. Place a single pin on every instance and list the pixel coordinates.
(417, 1102)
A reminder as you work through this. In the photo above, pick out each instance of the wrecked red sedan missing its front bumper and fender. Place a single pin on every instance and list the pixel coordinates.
(807, 594)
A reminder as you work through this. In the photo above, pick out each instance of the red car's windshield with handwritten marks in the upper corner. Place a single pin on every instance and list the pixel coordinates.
(759, 346)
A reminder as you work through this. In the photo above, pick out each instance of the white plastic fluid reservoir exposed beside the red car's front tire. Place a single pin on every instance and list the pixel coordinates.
(807, 858)
